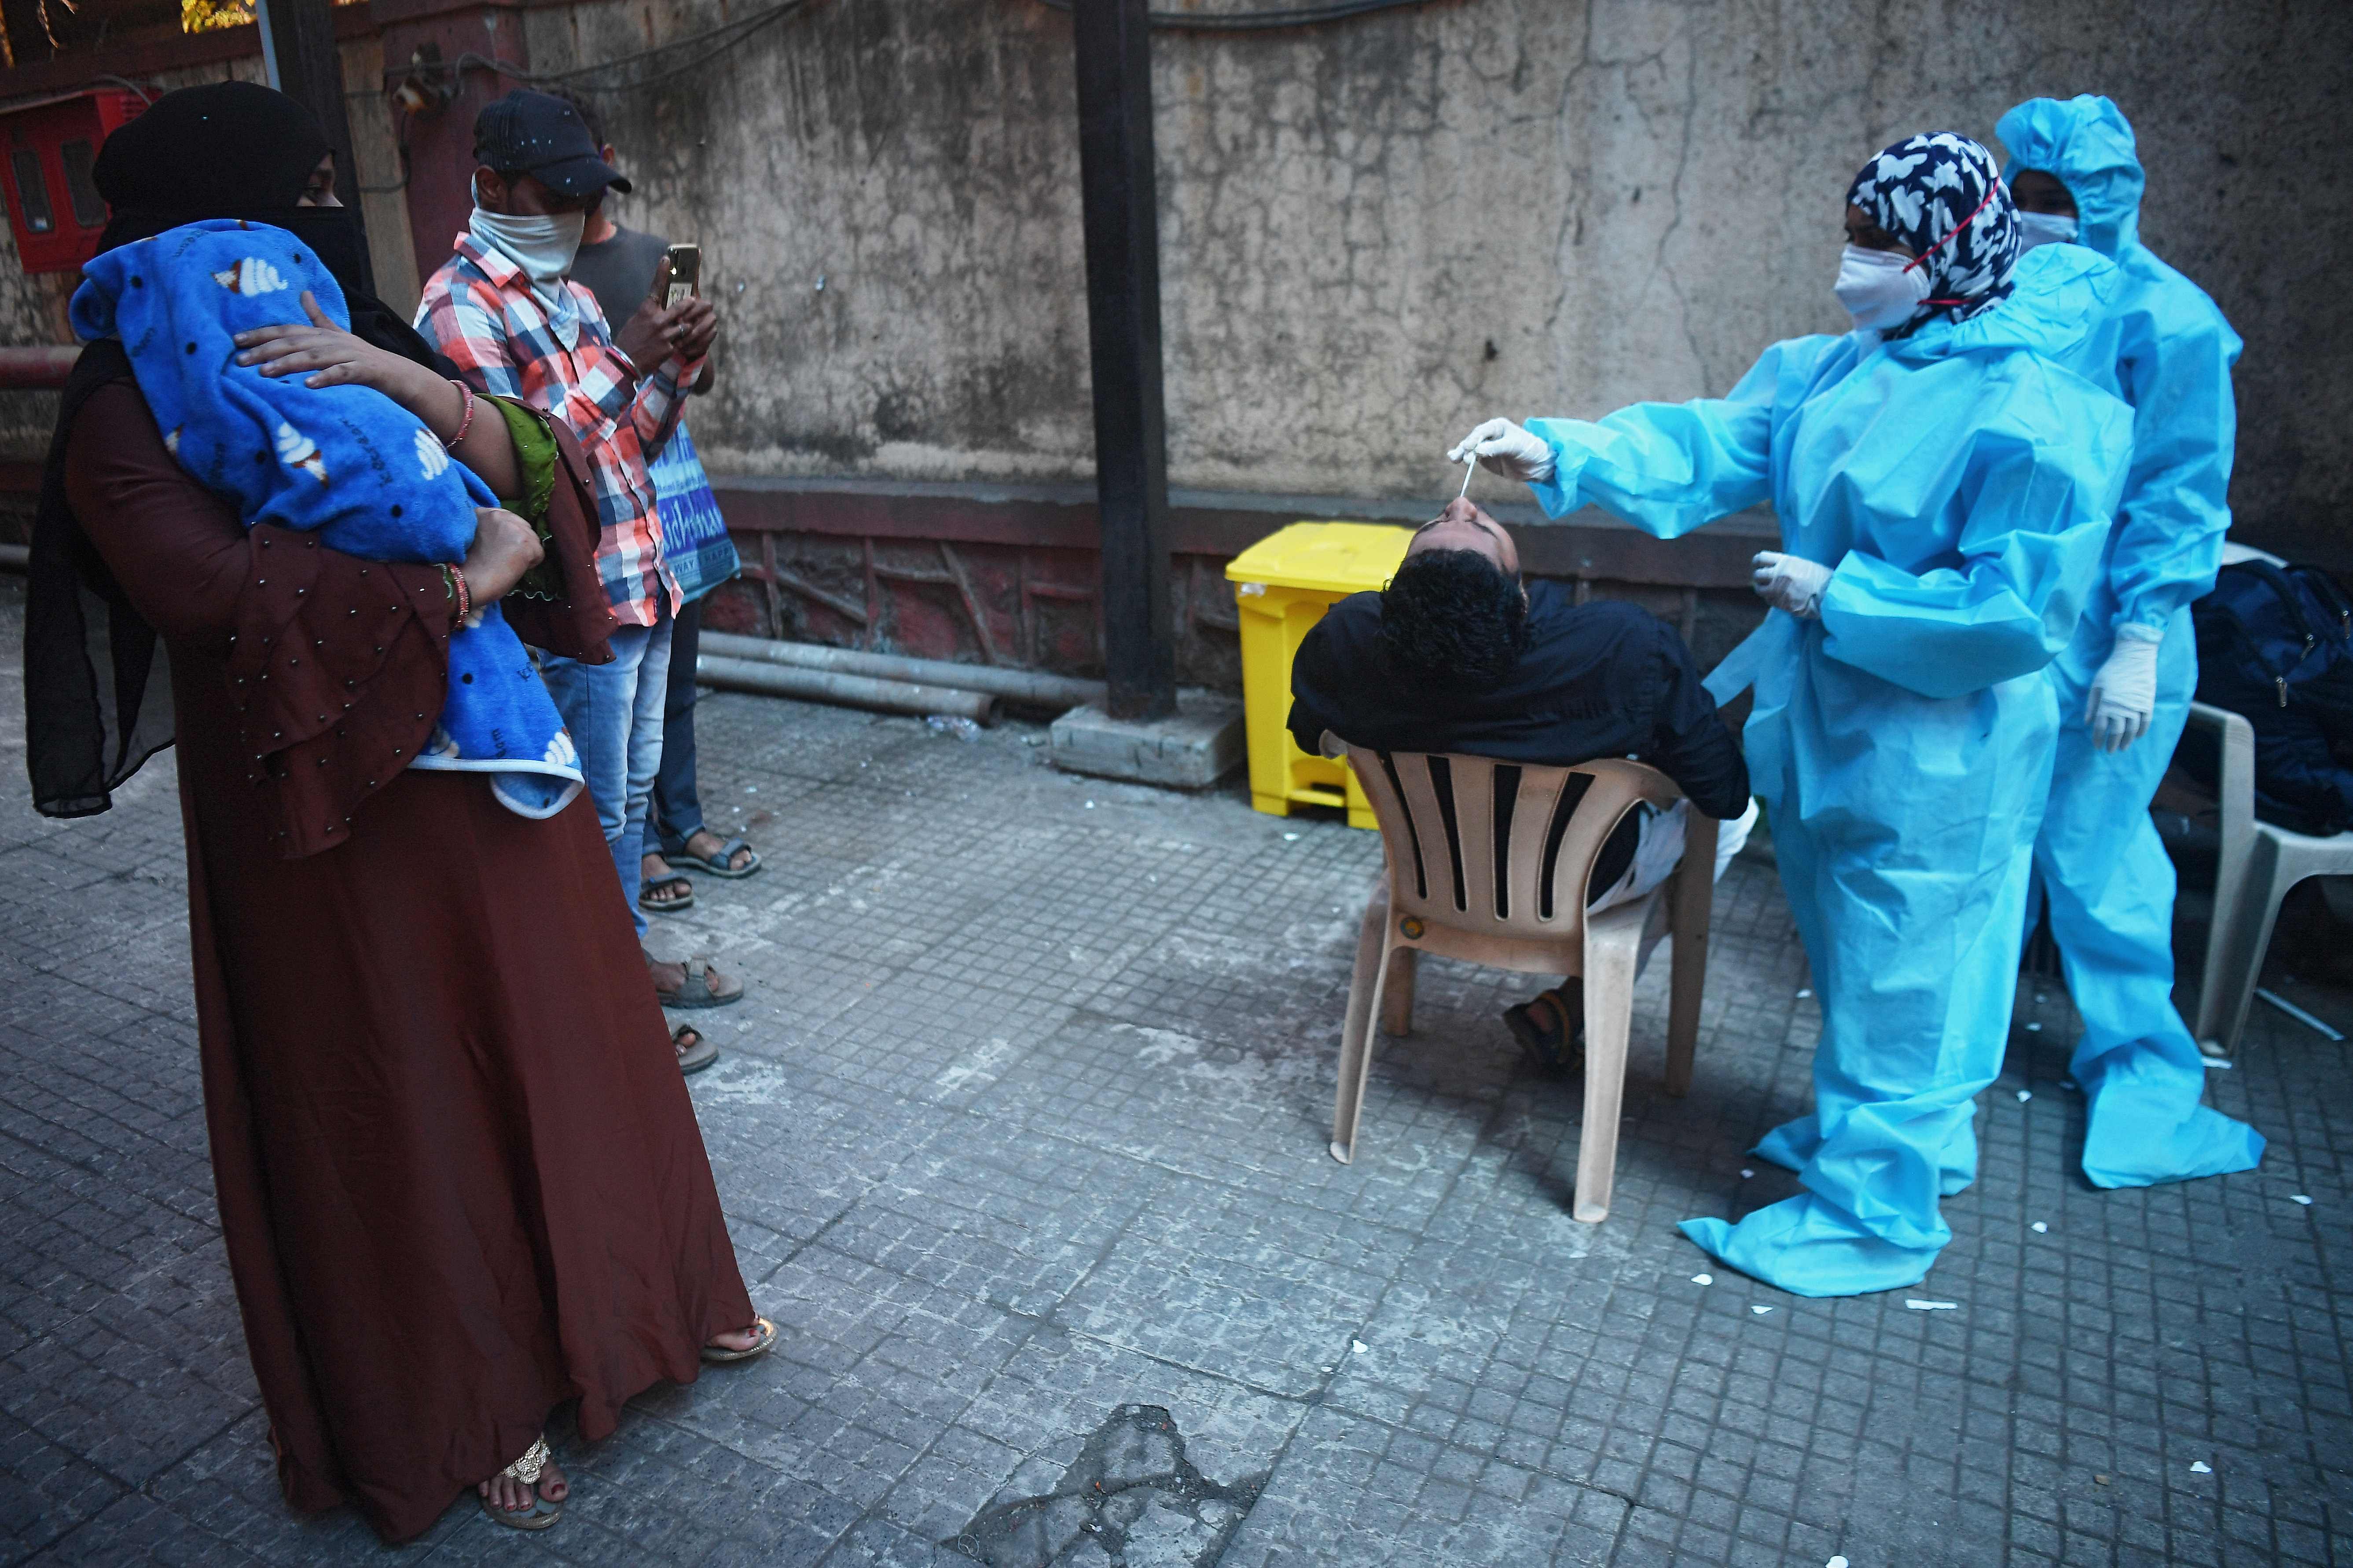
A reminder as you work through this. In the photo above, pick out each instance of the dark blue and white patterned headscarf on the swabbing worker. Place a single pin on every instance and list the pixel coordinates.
(1942, 196)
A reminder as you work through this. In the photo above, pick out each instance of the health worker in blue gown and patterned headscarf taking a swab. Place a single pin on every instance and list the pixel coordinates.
(1945, 490)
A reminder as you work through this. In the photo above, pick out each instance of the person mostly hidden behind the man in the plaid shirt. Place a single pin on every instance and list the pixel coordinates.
(625, 269)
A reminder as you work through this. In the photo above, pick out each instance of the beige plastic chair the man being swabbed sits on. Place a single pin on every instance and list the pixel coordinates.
(1493, 869)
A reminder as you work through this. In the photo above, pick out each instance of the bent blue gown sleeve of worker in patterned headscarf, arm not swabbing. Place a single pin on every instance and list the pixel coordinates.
(2041, 483)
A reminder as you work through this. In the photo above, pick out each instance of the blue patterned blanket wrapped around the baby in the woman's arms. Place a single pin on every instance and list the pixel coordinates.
(345, 462)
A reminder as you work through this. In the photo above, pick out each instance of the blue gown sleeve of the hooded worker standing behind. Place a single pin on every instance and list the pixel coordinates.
(2178, 502)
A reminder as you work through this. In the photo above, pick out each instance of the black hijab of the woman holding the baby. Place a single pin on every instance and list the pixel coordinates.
(98, 692)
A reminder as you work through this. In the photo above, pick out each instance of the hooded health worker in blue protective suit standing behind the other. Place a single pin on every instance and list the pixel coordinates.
(2126, 681)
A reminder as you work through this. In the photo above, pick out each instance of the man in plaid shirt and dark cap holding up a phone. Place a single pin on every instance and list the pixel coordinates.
(505, 311)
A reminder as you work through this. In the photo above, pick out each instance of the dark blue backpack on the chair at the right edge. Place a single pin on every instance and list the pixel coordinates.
(2277, 645)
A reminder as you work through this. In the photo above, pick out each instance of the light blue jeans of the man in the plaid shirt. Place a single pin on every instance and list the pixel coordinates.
(615, 721)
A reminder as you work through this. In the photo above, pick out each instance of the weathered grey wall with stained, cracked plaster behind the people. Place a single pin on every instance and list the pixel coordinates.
(1378, 232)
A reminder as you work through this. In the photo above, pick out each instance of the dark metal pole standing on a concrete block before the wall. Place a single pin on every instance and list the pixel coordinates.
(1124, 328)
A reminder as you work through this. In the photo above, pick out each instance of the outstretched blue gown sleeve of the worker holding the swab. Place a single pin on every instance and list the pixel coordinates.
(1674, 467)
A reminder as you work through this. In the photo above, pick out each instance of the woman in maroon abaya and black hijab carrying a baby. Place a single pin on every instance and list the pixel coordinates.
(458, 1170)
